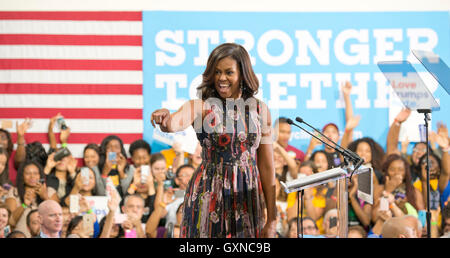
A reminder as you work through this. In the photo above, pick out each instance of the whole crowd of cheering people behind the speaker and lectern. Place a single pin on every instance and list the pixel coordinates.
(45, 193)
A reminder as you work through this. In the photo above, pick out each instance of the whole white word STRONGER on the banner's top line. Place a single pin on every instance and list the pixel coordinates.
(172, 53)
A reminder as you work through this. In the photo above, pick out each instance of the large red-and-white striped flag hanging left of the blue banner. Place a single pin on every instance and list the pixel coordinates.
(86, 65)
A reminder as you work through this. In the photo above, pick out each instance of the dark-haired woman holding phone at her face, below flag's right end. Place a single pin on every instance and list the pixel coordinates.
(113, 163)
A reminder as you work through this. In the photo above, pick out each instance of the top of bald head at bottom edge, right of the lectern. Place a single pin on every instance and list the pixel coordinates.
(398, 227)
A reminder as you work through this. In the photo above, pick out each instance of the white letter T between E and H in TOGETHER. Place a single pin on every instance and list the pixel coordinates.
(316, 80)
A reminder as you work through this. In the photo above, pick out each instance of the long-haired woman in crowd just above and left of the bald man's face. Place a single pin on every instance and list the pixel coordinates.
(31, 191)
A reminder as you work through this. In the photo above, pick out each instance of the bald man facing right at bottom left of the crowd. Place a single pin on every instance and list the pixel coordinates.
(51, 219)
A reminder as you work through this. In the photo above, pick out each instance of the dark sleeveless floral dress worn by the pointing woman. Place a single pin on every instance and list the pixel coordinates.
(224, 197)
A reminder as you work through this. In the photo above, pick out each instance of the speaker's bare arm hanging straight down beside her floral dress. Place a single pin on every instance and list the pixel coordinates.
(267, 172)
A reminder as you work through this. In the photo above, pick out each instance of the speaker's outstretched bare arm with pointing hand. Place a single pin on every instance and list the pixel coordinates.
(179, 120)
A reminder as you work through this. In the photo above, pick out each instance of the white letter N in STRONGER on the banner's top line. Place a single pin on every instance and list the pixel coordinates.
(321, 51)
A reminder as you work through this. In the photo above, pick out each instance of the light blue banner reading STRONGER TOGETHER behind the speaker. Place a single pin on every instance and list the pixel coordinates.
(301, 59)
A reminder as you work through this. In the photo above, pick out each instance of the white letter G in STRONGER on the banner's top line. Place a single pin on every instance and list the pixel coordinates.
(361, 50)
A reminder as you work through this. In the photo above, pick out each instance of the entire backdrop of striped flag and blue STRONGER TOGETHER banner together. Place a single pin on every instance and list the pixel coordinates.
(107, 71)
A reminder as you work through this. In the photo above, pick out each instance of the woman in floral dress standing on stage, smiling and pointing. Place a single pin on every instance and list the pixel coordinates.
(232, 193)
